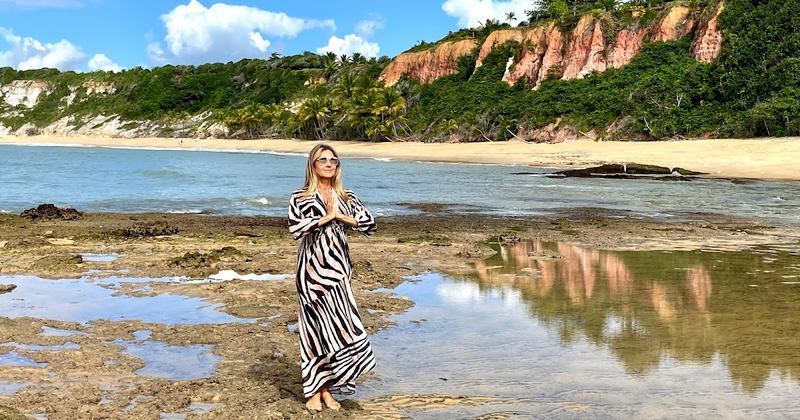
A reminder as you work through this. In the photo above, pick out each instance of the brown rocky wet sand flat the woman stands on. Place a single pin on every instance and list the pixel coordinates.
(258, 371)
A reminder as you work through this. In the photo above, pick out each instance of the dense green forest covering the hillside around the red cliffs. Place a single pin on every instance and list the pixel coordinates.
(752, 89)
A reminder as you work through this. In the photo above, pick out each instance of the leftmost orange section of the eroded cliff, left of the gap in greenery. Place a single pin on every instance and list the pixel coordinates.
(427, 66)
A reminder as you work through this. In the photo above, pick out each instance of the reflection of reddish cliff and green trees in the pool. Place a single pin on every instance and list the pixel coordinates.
(648, 306)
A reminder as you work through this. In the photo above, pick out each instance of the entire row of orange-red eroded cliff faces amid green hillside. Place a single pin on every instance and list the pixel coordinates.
(549, 53)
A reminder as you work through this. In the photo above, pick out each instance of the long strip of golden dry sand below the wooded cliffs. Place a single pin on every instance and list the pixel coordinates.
(764, 158)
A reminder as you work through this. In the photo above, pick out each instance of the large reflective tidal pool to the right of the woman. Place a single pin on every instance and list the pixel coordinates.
(557, 330)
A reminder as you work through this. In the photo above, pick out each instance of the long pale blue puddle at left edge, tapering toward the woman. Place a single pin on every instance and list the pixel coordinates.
(83, 301)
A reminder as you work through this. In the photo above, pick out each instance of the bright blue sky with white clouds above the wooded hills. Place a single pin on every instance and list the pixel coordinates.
(111, 35)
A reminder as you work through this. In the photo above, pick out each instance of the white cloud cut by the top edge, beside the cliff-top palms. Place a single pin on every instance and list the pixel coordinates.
(471, 13)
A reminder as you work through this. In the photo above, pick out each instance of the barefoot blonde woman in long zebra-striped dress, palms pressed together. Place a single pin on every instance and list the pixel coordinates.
(334, 346)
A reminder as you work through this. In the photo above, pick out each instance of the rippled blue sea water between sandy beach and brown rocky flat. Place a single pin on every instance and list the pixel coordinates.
(181, 181)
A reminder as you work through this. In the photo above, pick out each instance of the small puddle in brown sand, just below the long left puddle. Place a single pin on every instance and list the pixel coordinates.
(175, 363)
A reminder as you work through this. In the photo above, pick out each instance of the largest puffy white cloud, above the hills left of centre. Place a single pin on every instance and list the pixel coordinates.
(223, 32)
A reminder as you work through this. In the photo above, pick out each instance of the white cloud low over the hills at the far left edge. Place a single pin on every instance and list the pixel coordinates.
(28, 53)
